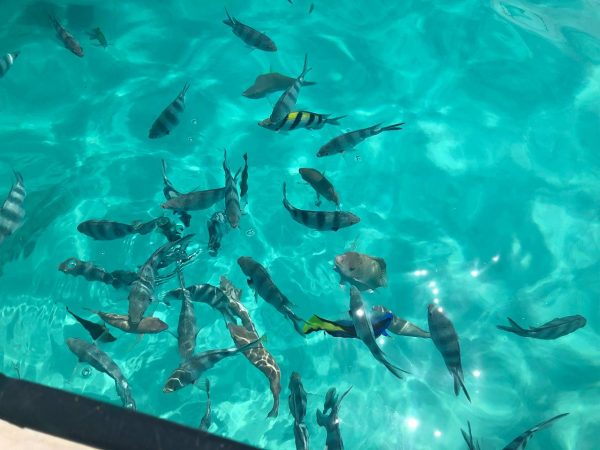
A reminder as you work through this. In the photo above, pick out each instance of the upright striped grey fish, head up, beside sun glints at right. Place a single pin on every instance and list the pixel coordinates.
(445, 339)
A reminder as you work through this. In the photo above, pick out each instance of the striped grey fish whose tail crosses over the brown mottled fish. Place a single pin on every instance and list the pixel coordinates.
(191, 369)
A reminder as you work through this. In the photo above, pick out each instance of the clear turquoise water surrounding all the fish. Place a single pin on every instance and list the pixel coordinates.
(487, 201)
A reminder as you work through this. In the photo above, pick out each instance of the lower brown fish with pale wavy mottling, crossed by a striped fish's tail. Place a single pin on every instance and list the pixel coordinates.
(260, 358)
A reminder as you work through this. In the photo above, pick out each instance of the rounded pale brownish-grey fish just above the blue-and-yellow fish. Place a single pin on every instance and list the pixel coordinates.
(360, 270)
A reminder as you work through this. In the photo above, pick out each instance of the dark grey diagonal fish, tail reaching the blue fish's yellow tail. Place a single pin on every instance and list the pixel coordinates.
(262, 284)
